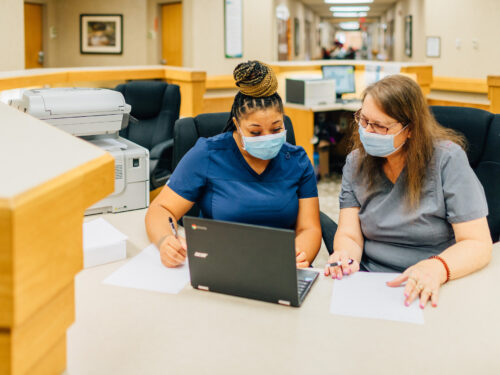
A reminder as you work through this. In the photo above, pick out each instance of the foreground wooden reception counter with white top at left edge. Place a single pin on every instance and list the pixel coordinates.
(48, 179)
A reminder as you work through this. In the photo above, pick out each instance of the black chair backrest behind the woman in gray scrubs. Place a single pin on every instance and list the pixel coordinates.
(482, 131)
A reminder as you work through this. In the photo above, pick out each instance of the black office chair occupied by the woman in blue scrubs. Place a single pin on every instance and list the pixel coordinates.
(188, 130)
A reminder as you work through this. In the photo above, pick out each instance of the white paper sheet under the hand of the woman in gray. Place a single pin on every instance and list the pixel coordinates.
(365, 295)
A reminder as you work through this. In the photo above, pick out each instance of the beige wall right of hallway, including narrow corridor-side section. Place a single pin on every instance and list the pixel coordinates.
(450, 20)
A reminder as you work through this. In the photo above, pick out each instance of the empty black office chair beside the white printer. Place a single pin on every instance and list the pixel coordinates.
(156, 105)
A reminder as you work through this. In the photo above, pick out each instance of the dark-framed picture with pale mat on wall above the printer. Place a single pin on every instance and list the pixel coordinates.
(101, 34)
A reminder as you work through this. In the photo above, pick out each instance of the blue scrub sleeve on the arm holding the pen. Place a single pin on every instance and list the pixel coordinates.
(190, 176)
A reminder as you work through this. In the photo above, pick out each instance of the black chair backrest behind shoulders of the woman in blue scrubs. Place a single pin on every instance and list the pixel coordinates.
(187, 131)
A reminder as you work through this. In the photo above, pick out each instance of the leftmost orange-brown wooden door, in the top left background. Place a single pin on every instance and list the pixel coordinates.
(33, 35)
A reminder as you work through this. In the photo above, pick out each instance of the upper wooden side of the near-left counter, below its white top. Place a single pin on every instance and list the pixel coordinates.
(45, 231)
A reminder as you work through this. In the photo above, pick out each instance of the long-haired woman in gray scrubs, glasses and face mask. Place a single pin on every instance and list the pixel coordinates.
(409, 201)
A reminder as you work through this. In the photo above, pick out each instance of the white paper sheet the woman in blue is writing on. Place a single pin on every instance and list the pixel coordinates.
(145, 271)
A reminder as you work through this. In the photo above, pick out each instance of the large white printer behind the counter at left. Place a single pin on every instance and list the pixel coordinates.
(97, 115)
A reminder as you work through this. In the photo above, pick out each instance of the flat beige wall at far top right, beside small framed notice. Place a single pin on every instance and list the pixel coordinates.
(468, 21)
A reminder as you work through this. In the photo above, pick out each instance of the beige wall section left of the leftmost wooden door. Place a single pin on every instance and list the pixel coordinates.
(11, 35)
